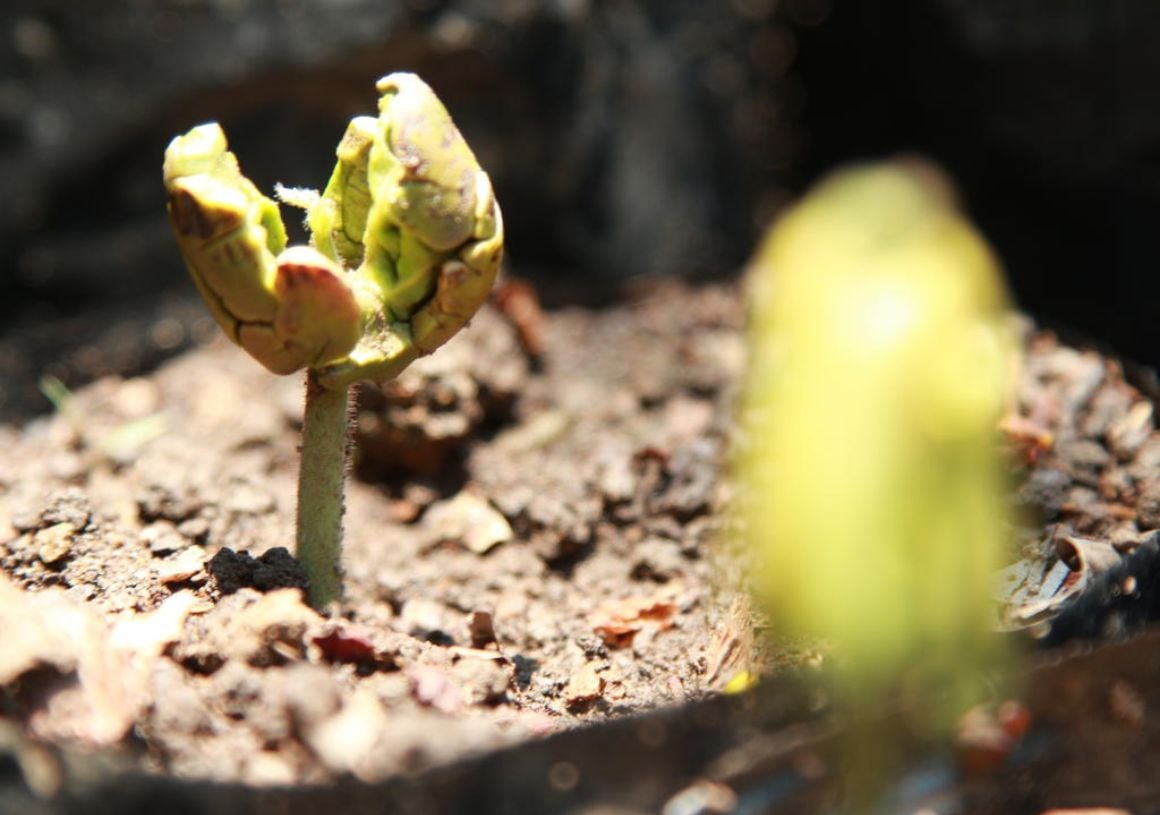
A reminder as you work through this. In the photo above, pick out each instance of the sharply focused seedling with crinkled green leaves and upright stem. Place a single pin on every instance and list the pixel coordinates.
(407, 242)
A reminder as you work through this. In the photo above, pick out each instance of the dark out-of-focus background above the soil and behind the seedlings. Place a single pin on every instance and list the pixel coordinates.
(627, 140)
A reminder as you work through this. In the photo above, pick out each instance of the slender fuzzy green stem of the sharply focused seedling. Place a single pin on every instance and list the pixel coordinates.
(321, 491)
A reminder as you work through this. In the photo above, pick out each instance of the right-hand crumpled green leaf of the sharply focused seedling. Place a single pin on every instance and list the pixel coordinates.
(433, 239)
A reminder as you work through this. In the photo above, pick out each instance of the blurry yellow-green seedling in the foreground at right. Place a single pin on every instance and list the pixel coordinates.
(876, 499)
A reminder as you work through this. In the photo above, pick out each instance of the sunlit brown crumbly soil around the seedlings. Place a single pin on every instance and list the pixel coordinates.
(533, 544)
